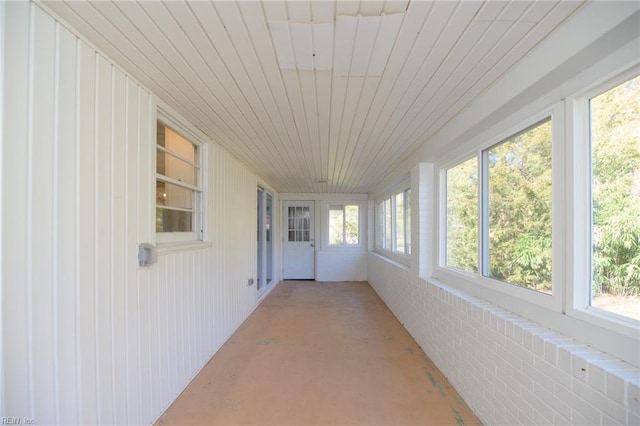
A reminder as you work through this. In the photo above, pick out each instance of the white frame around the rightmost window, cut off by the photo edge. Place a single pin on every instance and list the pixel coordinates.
(579, 175)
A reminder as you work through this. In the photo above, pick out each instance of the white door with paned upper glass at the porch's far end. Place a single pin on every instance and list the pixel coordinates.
(299, 250)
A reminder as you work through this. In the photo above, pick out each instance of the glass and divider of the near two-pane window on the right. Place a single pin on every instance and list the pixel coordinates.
(510, 197)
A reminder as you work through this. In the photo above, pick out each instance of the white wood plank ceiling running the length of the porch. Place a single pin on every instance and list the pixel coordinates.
(305, 90)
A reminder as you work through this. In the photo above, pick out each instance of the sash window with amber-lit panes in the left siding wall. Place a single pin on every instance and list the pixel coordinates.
(178, 186)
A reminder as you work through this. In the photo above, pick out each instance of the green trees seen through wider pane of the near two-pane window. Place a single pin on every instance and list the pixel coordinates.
(520, 209)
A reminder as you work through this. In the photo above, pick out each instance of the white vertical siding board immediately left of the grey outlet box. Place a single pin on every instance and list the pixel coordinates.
(131, 283)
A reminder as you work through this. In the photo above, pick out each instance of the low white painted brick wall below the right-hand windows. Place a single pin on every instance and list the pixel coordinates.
(507, 368)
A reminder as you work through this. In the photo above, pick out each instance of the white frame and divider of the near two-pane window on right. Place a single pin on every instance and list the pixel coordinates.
(467, 279)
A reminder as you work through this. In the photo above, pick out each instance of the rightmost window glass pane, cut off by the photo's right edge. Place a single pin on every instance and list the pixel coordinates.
(615, 188)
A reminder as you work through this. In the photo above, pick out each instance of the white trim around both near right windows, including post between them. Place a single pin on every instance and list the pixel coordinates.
(567, 312)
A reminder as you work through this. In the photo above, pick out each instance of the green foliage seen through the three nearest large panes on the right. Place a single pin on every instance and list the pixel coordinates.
(520, 197)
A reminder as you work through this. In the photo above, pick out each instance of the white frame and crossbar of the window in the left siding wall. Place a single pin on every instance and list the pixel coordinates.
(177, 124)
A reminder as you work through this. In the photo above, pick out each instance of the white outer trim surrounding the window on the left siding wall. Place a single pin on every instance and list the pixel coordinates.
(166, 240)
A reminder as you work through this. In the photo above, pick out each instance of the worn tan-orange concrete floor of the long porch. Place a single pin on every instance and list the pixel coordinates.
(316, 354)
